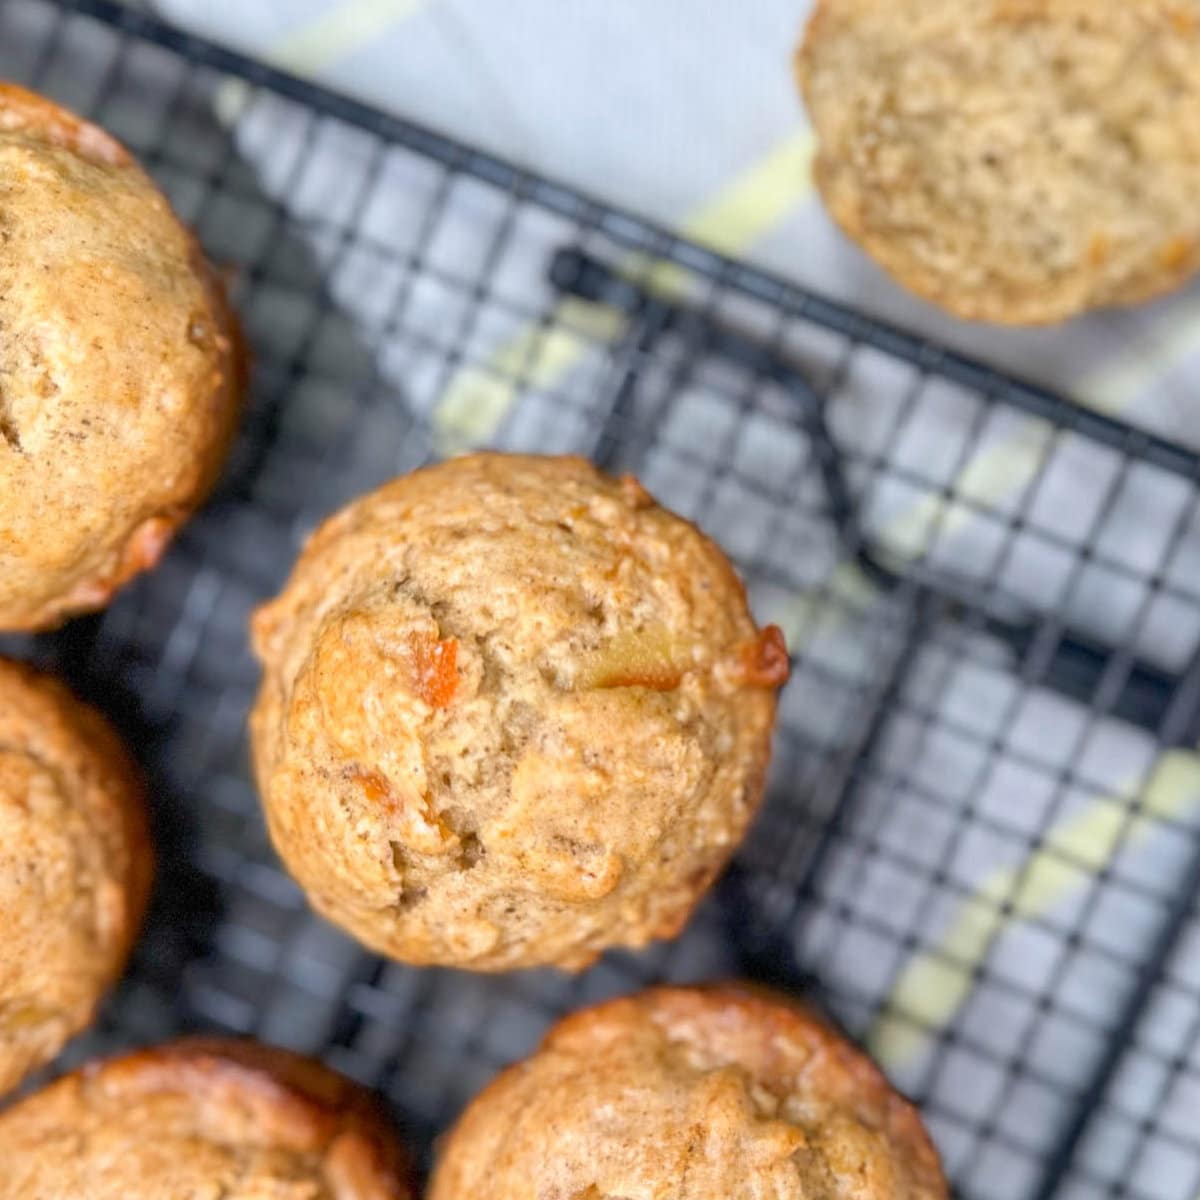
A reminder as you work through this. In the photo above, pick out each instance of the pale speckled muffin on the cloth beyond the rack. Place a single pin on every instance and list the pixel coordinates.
(1015, 161)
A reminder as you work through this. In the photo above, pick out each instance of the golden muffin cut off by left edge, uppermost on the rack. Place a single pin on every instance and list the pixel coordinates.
(121, 373)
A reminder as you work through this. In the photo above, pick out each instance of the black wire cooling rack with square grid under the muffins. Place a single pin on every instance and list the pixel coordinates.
(981, 849)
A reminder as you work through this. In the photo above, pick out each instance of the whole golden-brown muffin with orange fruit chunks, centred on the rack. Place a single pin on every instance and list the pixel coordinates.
(513, 713)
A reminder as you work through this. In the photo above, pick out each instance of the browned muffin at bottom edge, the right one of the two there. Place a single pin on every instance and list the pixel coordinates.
(691, 1094)
